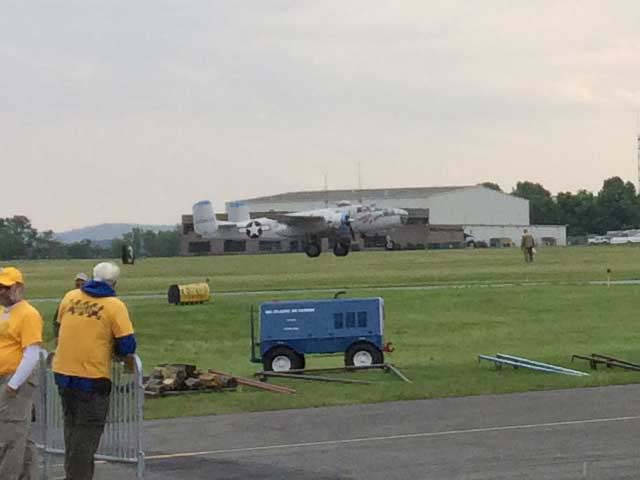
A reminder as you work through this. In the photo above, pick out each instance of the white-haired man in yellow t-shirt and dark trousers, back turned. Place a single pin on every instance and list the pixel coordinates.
(94, 325)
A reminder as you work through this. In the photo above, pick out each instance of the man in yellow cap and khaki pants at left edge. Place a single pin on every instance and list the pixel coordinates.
(20, 339)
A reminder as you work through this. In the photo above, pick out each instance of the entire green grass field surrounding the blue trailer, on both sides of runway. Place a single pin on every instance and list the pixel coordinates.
(438, 333)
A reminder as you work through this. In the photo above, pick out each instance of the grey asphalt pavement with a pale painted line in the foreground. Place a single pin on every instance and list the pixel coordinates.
(569, 434)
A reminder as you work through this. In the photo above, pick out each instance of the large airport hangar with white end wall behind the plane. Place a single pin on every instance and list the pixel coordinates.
(440, 217)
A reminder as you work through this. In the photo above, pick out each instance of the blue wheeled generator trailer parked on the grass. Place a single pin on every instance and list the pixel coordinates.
(291, 330)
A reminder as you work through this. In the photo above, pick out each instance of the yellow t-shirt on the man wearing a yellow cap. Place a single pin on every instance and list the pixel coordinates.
(20, 327)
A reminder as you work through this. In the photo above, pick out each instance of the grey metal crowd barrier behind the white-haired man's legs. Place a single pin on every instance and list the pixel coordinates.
(122, 437)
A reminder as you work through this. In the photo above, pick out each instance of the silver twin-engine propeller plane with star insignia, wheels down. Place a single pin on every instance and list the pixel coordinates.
(340, 224)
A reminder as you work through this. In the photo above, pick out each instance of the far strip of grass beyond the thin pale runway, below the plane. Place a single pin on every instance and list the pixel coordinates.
(275, 272)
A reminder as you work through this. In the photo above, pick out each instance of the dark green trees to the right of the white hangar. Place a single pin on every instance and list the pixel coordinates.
(615, 207)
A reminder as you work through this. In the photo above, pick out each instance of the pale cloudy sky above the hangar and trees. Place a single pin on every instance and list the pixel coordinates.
(127, 111)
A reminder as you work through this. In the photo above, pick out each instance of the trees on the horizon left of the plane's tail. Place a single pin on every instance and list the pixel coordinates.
(20, 240)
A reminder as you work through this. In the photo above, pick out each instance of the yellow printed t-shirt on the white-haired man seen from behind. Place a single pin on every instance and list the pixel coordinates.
(88, 329)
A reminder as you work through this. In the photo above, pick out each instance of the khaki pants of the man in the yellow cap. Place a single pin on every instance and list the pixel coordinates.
(18, 454)
